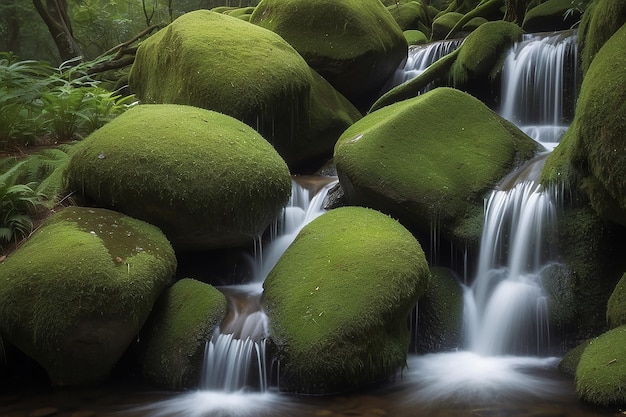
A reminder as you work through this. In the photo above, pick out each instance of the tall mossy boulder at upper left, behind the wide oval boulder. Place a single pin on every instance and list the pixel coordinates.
(221, 63)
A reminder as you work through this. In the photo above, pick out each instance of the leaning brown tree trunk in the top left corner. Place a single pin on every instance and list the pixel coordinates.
(54, 14)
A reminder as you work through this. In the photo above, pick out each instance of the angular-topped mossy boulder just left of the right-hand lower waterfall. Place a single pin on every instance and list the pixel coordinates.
(430, 161)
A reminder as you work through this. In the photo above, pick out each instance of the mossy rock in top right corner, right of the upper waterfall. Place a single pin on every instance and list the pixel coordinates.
(601, 20)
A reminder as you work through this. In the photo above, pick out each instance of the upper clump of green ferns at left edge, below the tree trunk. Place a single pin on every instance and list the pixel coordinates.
(41, 104)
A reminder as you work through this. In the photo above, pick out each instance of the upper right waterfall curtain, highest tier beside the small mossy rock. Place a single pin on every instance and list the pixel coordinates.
(539, 84)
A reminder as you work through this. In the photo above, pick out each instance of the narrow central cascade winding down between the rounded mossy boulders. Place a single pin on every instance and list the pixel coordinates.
(235, 358)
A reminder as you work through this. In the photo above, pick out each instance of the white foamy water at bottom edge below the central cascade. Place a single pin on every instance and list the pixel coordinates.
(217, 404)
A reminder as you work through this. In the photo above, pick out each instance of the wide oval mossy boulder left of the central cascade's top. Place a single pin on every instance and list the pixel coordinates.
(206, 179)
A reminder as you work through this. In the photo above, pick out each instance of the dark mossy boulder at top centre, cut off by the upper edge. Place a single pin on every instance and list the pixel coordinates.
(354, 44)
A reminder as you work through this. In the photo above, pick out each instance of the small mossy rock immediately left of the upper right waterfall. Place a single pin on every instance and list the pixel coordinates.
(483, 52)
